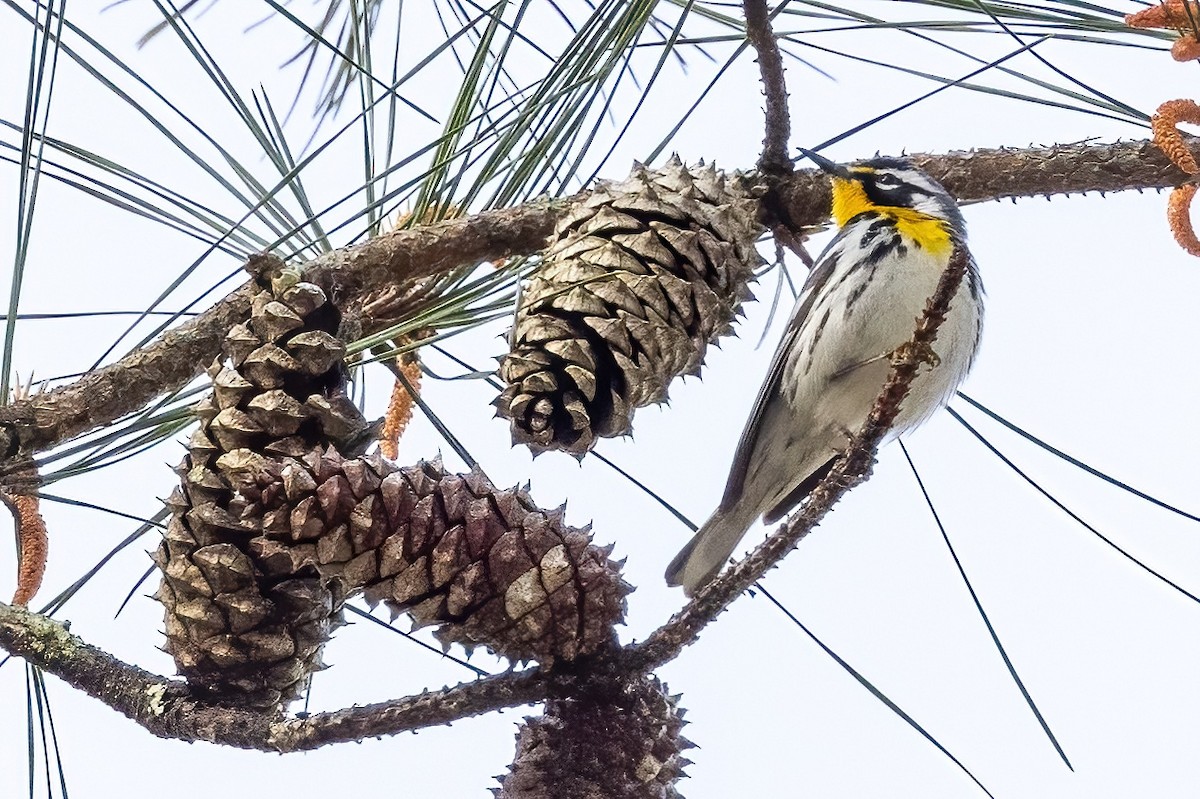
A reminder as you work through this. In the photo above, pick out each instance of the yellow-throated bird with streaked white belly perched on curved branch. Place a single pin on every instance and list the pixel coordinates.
(898, 230)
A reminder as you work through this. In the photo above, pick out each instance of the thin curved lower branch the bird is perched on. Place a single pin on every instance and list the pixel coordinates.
(167, 710)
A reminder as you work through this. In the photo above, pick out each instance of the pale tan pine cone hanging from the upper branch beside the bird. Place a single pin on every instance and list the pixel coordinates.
(635, 285)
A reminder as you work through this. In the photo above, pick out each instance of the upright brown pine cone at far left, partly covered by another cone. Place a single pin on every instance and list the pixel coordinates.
(239, 629)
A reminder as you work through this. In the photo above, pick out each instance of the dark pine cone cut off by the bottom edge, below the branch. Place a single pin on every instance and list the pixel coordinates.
(625, 744)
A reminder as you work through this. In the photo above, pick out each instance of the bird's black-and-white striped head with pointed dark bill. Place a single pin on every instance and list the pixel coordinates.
(887, 184)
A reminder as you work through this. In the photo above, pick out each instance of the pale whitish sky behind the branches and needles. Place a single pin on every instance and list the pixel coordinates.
(1089, 344)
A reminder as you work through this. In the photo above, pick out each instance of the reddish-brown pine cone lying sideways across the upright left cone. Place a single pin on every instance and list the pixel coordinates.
(488, 567)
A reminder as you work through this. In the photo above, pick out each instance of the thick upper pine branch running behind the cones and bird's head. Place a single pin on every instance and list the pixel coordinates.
(411, 255)
